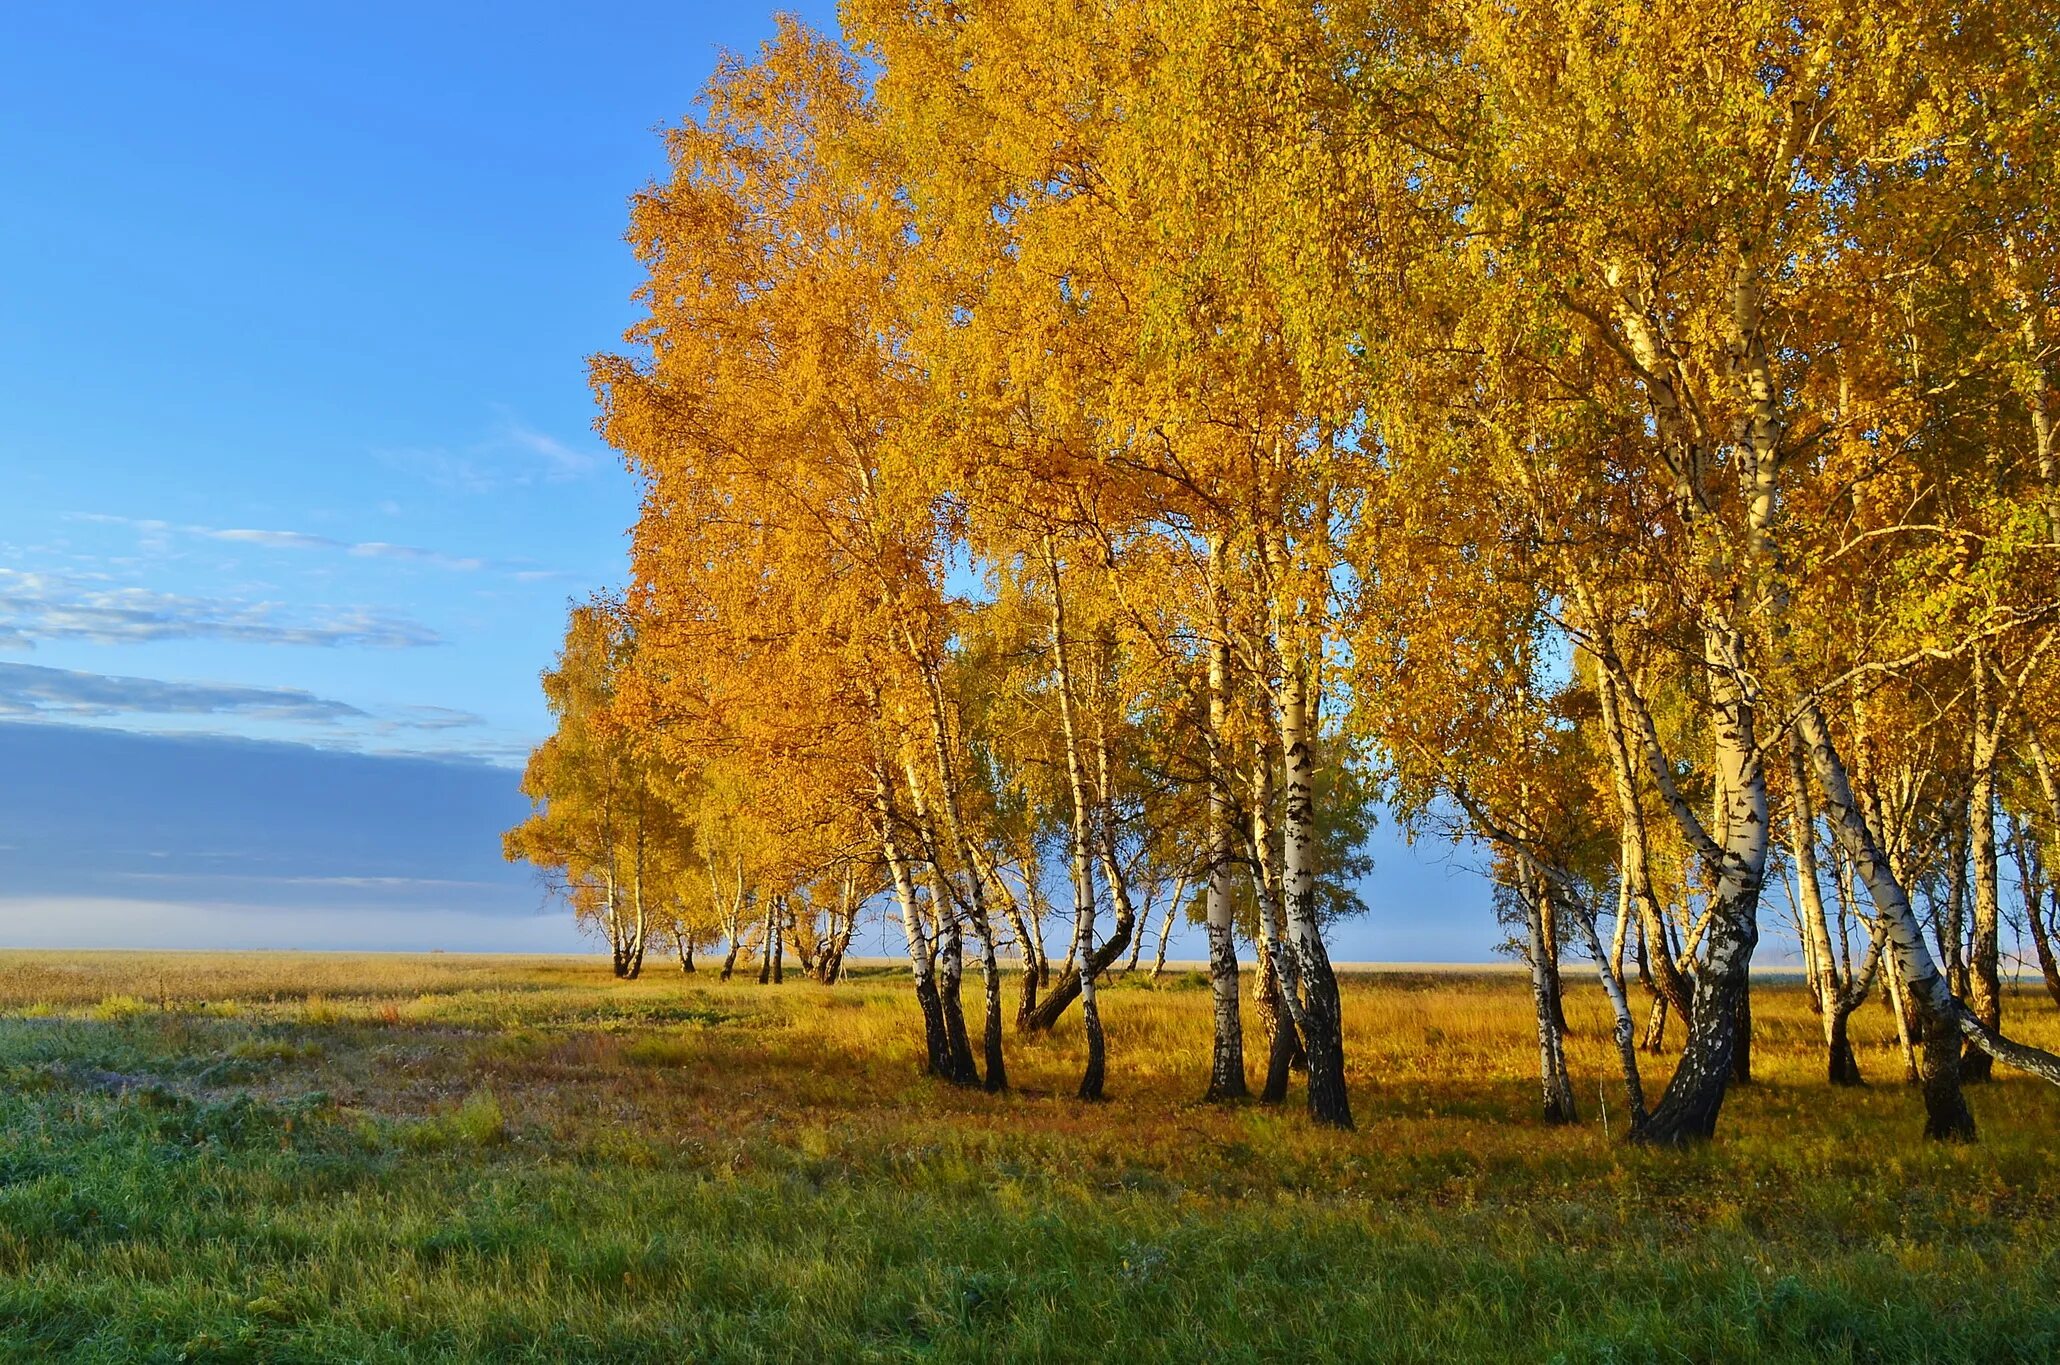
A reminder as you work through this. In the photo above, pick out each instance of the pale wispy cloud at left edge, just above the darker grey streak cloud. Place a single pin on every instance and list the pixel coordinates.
(40, 606)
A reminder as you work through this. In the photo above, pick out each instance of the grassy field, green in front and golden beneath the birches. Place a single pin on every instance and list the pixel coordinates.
(296, 1158)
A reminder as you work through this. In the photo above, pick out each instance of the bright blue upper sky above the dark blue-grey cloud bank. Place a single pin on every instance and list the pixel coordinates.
(296, 306)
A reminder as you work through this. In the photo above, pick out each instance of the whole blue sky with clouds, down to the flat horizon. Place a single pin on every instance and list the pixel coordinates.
(298, 448)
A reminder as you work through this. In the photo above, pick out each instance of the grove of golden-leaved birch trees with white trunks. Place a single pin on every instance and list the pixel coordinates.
(1091, 450)
